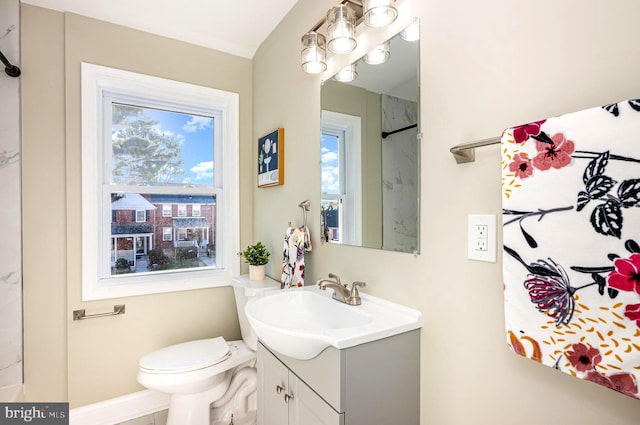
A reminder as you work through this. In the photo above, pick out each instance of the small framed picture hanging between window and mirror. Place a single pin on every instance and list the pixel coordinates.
(271, 159)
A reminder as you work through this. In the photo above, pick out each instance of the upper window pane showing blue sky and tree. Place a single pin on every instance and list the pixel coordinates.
(157, 147)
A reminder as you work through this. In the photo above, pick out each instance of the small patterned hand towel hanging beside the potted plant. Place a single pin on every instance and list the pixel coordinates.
(296, 242)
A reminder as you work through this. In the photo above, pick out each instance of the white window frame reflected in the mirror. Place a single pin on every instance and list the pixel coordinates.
(348, 129)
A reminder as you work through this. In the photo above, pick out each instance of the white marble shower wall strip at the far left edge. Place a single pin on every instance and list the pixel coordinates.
(10, 200)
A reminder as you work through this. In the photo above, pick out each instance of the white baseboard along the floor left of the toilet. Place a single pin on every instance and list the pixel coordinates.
(120, 409)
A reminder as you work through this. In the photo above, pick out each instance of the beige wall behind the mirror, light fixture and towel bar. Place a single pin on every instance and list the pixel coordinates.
(485, 66)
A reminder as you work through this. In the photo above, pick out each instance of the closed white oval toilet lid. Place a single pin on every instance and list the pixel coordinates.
(187, 356)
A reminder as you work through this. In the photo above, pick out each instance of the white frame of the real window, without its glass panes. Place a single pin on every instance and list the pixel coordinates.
(97, 282)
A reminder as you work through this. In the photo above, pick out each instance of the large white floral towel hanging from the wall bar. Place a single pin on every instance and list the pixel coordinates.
(571, 217)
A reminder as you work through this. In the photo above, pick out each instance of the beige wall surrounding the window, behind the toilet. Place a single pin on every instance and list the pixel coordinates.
(94, 360)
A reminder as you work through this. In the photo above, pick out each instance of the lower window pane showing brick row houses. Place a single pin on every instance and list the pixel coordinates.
(149, 245)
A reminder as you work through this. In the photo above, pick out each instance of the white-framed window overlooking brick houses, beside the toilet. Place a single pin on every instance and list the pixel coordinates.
(150, 143)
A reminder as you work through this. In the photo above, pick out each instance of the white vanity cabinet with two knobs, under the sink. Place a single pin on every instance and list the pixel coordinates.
(376, 383)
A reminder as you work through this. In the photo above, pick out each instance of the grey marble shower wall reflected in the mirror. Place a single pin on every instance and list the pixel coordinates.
(400, 175)
